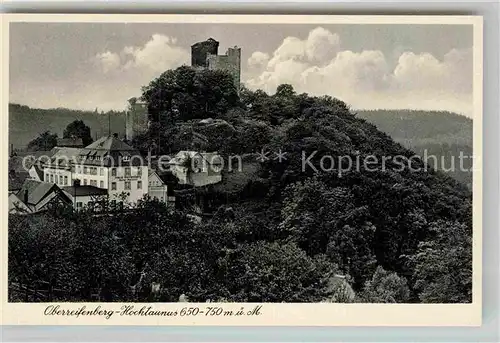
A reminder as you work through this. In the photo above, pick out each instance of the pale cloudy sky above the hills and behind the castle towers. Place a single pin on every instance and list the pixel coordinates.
(89, 65)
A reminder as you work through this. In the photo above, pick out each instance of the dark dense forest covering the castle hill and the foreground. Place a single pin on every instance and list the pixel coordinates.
(382, 235)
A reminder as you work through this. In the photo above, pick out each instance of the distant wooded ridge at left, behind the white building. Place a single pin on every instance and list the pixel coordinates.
(27, 123)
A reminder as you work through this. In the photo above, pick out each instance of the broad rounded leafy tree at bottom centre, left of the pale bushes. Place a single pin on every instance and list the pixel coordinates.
(275, 272)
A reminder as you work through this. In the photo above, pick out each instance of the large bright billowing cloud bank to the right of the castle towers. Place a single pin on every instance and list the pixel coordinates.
(366, 79)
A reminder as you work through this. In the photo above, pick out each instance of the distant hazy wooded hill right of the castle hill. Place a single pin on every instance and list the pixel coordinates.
(440, 134)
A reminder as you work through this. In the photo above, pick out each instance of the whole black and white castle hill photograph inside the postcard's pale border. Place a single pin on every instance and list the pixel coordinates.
(216, 162)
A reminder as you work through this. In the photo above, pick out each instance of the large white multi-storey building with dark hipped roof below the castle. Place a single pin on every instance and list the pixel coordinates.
(108, 164)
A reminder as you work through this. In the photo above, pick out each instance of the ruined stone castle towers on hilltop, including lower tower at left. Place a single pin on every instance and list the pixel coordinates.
(204, 55)
